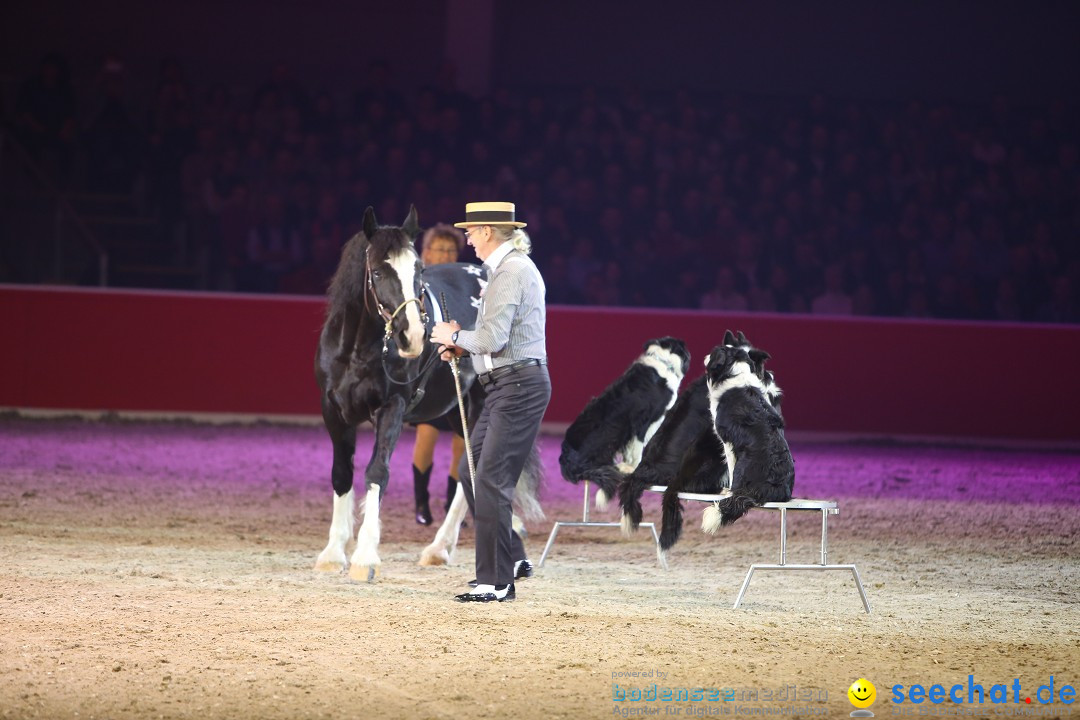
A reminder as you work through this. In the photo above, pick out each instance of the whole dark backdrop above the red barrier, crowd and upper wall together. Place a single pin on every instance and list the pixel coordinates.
(733, 91)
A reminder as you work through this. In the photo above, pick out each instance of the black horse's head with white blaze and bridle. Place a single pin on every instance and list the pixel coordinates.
(394, 284)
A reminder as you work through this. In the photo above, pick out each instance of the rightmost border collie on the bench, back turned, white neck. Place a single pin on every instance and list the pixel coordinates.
(752, 434)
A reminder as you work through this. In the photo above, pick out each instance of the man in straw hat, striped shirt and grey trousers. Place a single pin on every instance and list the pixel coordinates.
(510, 356)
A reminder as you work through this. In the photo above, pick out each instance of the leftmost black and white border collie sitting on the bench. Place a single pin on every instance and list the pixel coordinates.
(623, 419)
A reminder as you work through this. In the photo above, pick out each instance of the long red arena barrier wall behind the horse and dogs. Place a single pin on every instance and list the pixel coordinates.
(184, 352)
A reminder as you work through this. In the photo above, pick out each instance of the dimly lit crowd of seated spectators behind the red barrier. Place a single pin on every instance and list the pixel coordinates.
(677, 199)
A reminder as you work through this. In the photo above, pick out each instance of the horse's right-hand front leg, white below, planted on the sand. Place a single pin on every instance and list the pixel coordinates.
(388, 429)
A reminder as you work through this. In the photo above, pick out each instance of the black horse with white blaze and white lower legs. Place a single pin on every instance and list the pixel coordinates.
(375, 363)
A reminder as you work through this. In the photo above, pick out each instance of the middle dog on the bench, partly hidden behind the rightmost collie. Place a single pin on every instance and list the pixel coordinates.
(687, 425)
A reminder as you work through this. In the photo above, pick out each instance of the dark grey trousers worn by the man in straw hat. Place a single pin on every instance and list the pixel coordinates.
(502, 441)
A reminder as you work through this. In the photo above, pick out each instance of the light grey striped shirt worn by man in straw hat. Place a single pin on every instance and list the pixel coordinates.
(512, 318)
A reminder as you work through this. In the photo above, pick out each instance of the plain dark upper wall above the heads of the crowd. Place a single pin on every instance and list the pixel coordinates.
(955, 50)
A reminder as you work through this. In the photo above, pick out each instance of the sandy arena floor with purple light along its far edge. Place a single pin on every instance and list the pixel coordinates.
(165, 570)
